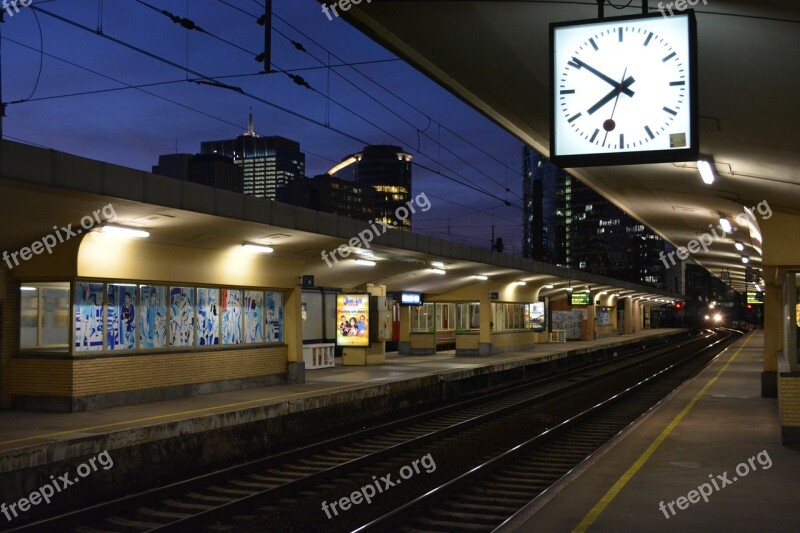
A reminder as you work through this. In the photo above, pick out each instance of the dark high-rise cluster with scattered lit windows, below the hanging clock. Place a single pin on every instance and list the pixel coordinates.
(568, 224)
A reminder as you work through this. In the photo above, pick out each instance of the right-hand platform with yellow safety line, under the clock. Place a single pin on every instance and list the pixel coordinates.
(714, 434)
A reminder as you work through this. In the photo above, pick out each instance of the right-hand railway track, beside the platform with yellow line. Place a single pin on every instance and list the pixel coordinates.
(487, 497)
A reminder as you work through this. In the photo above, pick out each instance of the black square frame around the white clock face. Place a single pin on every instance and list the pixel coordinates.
(690, 153)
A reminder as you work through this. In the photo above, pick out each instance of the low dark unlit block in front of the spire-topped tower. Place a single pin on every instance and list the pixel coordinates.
(214, 170)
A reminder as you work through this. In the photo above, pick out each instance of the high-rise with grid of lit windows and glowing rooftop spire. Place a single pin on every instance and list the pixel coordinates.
(269, 163)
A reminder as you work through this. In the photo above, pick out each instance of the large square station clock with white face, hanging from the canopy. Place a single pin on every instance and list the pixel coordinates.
(623, 91)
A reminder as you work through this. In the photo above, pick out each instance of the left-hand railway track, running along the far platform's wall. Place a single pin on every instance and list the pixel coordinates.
(209, 499)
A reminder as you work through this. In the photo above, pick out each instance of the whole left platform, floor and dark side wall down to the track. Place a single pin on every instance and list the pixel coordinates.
(174, 438)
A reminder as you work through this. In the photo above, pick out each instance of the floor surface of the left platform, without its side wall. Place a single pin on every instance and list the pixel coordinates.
(21, 429)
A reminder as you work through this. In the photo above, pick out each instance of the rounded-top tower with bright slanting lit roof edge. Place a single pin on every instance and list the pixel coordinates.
(387, 170)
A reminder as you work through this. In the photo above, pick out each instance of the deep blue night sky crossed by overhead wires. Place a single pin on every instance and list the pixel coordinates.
(130, 127)
